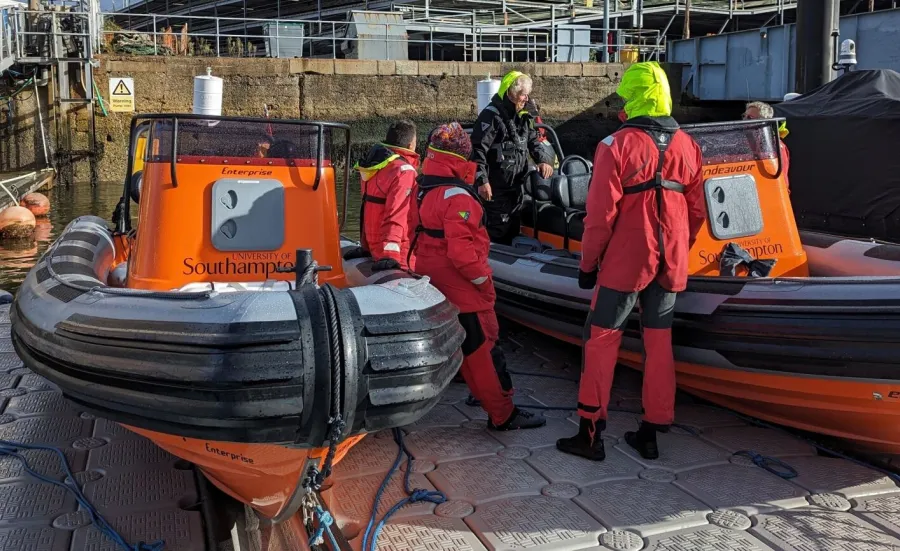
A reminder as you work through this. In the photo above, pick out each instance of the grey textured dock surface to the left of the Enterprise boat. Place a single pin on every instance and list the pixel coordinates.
(134, 484)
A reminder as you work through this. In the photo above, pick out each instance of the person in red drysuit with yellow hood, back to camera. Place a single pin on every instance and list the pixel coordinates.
(645, 206)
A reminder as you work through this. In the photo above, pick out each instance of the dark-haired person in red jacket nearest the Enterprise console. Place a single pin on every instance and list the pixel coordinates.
(388, 181)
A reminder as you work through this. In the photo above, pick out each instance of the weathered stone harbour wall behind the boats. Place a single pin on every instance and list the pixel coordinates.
(578, 99)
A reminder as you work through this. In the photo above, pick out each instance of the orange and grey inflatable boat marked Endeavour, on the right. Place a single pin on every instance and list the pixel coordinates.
(814, 345)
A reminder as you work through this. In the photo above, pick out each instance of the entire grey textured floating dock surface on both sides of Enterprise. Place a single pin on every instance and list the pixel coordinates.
(508, 491)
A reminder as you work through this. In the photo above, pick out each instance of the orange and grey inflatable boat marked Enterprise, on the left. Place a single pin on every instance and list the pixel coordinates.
(225, 327)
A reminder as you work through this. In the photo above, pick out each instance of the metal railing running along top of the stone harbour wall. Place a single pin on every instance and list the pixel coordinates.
(61, 35)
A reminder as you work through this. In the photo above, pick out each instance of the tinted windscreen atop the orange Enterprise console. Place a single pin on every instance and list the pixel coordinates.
(269, 139)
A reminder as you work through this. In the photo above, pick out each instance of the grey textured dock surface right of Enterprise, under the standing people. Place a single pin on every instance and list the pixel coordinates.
(516, 491)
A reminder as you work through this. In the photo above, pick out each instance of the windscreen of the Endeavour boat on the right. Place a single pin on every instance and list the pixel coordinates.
(737, 142)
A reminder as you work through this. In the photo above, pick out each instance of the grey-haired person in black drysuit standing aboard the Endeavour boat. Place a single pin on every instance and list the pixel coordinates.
(501, 141)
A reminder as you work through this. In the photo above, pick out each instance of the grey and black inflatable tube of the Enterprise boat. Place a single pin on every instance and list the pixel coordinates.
(259, 366)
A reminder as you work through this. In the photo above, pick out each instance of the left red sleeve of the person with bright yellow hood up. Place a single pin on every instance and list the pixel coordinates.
(604, 195)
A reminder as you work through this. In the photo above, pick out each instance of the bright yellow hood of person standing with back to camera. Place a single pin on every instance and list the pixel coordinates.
(645, 89)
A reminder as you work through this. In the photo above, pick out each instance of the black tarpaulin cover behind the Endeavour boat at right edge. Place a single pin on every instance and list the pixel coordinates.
(844, 144)
